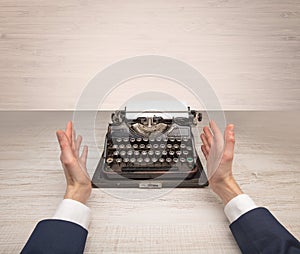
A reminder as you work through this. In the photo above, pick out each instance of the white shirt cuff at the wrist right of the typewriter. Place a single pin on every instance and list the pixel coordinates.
(238, 206)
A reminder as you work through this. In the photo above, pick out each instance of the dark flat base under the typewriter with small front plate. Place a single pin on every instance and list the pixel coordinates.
(99, 180)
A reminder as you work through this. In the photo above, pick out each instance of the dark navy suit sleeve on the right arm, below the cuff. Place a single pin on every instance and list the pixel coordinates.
(257, 231)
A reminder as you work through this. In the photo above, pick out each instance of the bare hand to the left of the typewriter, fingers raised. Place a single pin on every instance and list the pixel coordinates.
(78, 181)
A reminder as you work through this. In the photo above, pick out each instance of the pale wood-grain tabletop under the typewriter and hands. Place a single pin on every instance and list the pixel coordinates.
(182, 221)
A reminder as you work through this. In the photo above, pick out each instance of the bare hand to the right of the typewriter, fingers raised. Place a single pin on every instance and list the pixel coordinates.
(219, 155)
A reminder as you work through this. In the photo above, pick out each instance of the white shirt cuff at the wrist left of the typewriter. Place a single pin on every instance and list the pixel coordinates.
(74, 211)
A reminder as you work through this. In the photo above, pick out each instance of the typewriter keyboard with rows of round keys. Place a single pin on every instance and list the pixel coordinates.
(153, 154)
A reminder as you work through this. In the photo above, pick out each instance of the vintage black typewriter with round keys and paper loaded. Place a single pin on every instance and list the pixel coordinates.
(152, 151)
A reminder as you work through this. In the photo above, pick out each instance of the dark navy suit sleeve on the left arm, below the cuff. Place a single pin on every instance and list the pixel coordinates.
(55, 237)
